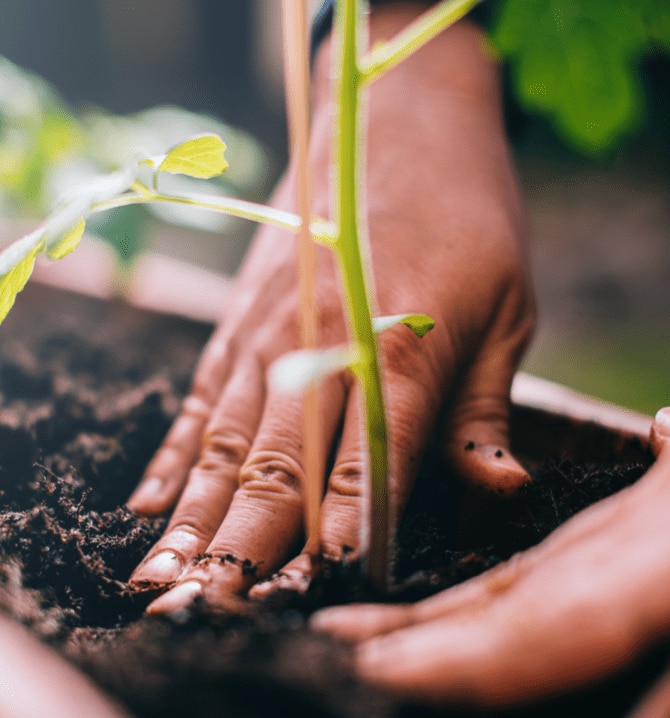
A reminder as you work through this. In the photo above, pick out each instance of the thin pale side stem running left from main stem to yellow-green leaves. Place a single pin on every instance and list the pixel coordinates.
(321, 230)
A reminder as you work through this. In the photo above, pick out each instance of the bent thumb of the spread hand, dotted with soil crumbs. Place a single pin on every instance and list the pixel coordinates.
(477, 442)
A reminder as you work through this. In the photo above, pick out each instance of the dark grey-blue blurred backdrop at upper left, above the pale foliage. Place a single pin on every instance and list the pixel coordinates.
(215, 56)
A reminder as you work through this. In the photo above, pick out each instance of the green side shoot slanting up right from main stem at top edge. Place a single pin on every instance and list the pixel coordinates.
(387, 55)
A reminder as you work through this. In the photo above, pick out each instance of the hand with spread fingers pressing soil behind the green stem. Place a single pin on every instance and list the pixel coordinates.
(445, 226)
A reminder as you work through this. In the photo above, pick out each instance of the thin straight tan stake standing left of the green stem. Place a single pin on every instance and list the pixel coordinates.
(296, 70)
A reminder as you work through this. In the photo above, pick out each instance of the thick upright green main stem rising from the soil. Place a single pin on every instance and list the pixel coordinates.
(355, 284)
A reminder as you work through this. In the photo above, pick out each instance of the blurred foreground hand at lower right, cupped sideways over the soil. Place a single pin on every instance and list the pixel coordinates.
(579, 605)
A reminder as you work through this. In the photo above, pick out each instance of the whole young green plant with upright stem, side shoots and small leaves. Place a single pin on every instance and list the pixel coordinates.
(345, 234)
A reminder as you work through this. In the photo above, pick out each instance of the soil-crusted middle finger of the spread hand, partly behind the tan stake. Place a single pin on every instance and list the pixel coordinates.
(265, 517)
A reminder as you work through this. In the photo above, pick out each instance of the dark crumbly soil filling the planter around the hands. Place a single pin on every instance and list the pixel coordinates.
(87, 391)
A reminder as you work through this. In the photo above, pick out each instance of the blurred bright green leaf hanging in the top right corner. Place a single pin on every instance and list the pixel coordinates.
(577, 61)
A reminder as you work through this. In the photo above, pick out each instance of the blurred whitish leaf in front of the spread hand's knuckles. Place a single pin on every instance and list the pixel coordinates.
(296, 371)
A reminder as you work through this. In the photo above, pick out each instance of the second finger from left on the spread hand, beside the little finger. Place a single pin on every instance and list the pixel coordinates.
(212, 481)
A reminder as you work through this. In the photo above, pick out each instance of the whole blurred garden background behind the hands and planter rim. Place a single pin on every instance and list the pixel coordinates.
(587, 93)
